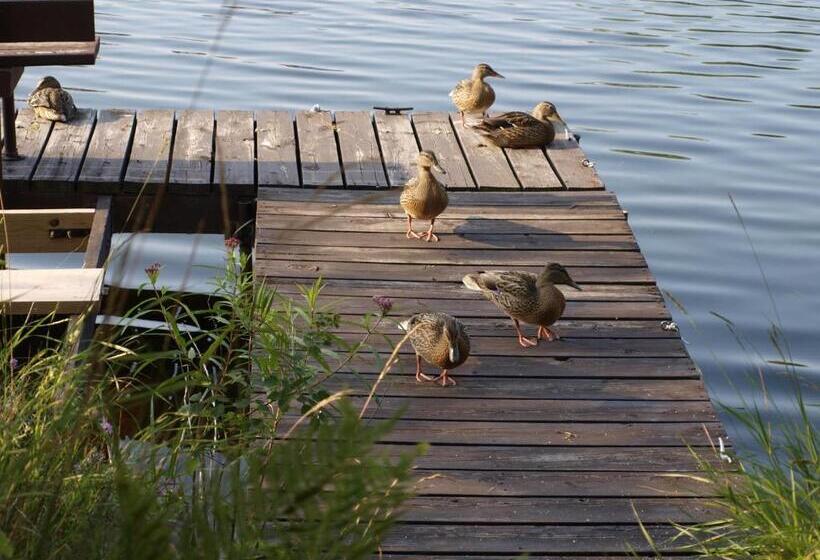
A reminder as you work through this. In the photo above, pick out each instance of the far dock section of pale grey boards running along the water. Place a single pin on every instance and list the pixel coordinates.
(233, 152)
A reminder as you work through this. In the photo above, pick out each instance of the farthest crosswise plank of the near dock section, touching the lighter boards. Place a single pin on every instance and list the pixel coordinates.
(494, 200)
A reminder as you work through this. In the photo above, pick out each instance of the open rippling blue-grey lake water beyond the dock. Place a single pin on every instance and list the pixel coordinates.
(680, 103)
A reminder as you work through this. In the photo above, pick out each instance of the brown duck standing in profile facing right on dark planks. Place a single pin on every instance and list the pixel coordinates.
(526, 297)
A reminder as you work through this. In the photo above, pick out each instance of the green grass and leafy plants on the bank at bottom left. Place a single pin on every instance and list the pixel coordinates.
(204, 471)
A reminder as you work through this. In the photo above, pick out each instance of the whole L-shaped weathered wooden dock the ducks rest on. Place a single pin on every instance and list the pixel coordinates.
(555, 451)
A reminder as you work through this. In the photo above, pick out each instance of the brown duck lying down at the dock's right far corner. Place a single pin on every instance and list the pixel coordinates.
(520, 130)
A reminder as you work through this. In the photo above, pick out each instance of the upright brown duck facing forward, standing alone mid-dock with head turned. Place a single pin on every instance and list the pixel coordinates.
(424, 197)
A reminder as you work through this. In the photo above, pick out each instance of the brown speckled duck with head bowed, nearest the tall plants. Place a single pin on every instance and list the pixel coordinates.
(440, 340)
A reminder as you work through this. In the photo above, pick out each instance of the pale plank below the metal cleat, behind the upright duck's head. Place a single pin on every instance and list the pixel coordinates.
(399, 148)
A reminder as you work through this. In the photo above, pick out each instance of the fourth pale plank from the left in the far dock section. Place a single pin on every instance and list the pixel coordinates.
(150, 152)
